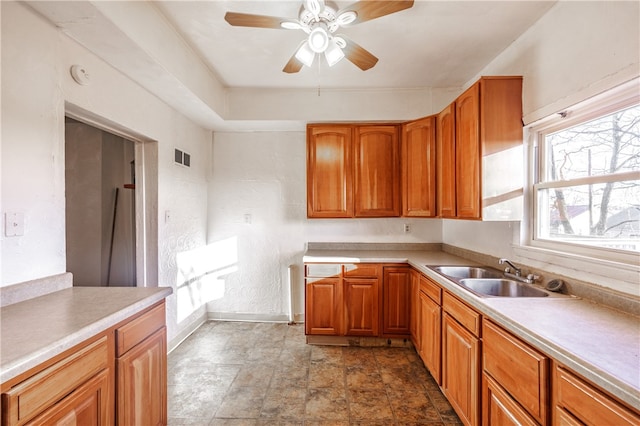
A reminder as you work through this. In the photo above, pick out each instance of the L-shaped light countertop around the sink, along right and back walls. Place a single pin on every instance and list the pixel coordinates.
(597, 342)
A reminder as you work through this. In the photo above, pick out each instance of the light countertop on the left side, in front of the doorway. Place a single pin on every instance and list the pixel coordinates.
(34, 330)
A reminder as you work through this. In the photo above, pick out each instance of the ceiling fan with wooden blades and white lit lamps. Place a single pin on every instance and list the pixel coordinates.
(320, 20)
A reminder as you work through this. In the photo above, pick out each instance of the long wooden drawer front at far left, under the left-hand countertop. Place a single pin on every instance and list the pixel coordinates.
(44, 389)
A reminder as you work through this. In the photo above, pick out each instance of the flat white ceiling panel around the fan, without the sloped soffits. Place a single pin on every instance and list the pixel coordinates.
(432, 44)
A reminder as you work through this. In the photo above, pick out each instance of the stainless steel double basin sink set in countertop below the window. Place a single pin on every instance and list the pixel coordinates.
(488, 282)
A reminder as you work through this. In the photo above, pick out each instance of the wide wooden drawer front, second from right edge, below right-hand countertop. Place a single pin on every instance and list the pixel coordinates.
(520, 370)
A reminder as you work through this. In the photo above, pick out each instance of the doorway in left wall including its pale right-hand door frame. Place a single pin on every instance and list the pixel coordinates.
(124, 251)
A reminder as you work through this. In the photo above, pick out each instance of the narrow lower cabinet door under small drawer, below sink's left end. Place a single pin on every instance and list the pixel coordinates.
(431, 321)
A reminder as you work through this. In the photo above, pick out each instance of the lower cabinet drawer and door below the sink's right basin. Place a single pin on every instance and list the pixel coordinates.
(461, 359)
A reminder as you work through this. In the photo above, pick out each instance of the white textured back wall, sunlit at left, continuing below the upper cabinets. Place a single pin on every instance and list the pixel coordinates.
(263, 175)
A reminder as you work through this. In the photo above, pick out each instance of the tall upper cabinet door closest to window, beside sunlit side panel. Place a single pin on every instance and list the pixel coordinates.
(468, 153)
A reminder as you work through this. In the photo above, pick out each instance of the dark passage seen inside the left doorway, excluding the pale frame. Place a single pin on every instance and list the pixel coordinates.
(100, 206)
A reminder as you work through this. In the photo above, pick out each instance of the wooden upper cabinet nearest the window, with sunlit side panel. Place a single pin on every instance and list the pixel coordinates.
(488, 122)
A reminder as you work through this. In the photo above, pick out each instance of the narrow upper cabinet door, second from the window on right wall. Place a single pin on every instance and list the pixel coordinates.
(446, 161)
